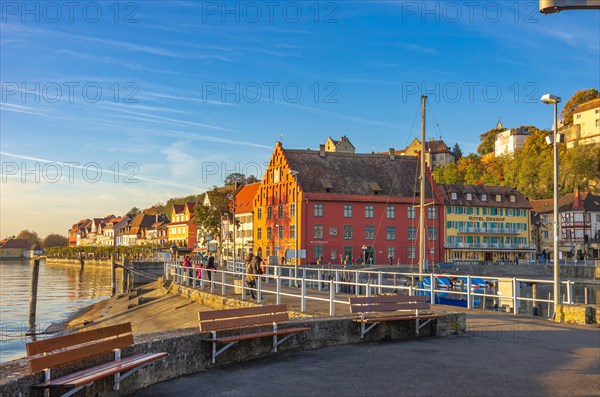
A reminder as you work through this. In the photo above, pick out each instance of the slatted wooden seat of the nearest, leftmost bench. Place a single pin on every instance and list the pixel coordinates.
(86, 376)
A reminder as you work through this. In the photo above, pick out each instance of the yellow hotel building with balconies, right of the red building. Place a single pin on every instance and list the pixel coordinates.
(486, 224)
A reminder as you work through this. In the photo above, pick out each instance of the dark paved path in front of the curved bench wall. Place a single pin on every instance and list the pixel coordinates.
(500, 355)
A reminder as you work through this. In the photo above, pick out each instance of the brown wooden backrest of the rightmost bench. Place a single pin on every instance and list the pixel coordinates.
(389, 303)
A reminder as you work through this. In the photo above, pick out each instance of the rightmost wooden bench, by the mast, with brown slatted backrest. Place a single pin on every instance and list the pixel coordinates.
(373, 310)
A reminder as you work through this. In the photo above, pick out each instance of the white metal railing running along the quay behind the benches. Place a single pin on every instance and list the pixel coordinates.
(506, 293)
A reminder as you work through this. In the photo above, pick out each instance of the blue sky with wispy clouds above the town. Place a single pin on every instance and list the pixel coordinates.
(109, 105)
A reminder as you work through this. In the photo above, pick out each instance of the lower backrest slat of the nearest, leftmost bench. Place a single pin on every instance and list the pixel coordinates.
(67, 356)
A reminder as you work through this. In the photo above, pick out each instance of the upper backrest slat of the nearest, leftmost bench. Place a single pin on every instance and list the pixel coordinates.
(60, 342)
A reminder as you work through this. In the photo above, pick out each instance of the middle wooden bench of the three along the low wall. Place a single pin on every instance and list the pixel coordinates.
(242, 318)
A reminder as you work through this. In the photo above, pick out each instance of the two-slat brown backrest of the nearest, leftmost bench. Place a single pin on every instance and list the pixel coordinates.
(106, 339)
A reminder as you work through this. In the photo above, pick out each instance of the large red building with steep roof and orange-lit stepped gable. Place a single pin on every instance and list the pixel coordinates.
(350, 205)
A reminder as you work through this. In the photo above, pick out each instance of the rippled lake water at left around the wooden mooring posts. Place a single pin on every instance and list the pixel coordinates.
(62, 290)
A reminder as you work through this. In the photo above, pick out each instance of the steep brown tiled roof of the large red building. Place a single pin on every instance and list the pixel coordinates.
(356, 174)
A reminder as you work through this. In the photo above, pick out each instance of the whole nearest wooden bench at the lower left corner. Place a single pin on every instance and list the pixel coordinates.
(77, 346)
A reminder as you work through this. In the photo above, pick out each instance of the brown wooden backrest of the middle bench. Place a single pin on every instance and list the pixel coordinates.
(218, 320)
